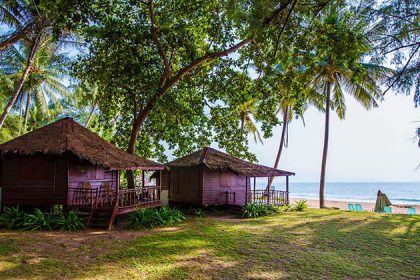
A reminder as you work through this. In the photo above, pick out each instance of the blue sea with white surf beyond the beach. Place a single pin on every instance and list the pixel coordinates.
(397, 192)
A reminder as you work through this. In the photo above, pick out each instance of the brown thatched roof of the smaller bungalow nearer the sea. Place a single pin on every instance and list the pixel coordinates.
(214, 159)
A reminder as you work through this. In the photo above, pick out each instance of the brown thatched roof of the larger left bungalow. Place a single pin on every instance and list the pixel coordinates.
(66, 135)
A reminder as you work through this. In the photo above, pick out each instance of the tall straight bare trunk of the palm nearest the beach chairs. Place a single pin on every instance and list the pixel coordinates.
(325, 152)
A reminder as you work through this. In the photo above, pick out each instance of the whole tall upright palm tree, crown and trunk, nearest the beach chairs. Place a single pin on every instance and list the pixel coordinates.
(341, 43)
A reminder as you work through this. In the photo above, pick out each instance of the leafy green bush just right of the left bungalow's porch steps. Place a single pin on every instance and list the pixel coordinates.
(155, 217)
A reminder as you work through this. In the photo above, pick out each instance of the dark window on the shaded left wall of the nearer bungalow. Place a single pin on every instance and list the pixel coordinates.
(35, 168)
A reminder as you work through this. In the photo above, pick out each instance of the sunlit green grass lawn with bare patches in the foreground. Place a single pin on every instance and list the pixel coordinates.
(309, 245)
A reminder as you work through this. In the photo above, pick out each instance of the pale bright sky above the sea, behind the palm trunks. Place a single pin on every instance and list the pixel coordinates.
(368, 146)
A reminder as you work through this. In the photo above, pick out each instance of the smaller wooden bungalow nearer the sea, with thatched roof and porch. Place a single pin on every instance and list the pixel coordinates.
(210, 177)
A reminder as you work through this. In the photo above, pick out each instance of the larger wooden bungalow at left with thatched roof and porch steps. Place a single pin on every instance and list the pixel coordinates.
(66, 164)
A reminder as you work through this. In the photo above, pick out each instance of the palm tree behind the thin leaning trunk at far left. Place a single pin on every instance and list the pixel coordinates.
(43, 85)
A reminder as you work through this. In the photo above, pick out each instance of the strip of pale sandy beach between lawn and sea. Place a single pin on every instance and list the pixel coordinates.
(368, 206)
